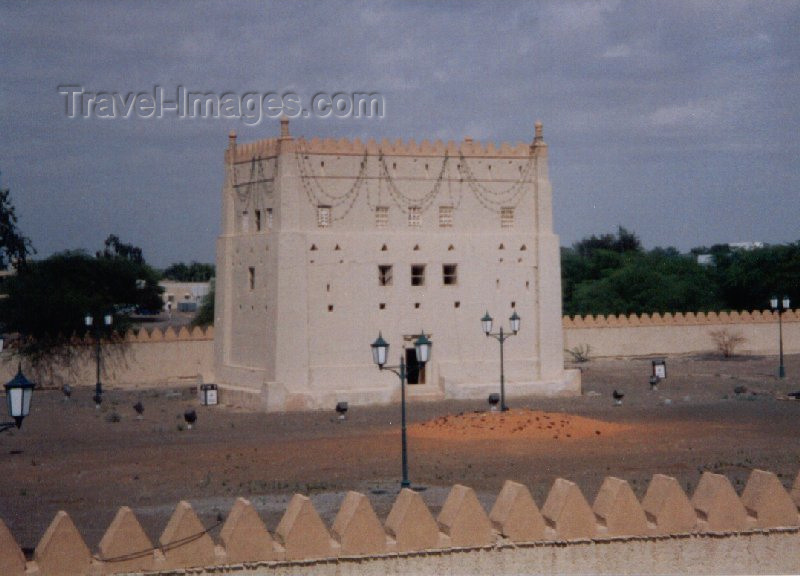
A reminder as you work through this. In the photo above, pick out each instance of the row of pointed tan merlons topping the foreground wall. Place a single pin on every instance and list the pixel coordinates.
(302, 538)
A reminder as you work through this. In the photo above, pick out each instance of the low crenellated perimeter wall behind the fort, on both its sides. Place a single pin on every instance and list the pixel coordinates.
(157, 357)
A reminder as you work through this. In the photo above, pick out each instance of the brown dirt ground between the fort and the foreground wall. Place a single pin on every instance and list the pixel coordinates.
(70, 456)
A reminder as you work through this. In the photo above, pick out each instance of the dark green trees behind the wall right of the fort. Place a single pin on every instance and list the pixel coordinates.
(614, 274)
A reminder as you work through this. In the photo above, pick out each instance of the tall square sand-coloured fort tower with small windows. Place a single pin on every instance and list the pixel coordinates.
(326, 243)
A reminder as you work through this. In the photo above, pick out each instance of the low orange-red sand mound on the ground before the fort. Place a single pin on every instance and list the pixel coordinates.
(523, 424)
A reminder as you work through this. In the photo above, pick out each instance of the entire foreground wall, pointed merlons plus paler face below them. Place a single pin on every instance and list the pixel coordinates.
(714, 531)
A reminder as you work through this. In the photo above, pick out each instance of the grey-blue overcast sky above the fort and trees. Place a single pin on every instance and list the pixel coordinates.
(677, 120)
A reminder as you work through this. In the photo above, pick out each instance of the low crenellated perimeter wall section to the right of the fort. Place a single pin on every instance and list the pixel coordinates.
(690, 333)
